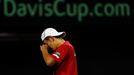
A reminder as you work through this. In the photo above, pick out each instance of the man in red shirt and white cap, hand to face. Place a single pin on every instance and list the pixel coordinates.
(64, 56)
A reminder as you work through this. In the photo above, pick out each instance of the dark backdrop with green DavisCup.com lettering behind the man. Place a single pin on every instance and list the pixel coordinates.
(101, 32)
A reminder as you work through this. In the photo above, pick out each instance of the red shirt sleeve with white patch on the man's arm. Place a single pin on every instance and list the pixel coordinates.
(61, 53)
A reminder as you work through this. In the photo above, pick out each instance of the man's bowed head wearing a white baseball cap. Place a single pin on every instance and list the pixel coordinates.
(51, 37)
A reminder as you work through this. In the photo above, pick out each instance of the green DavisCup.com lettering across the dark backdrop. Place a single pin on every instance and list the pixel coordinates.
(81, 10)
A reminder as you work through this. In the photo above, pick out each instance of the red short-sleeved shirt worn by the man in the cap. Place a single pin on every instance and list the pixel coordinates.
(66, 59)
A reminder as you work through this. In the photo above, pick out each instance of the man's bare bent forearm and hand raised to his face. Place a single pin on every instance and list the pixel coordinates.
(47, 57)
